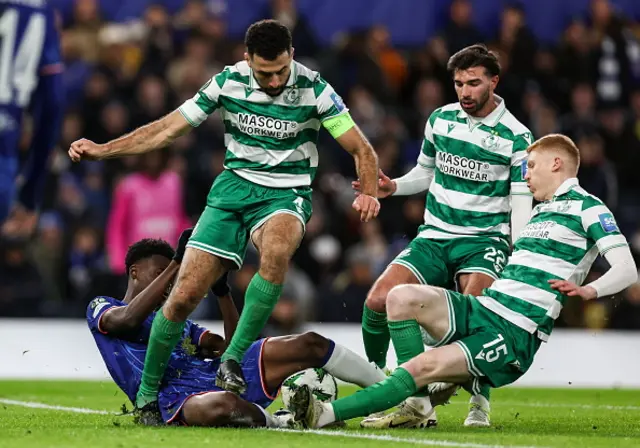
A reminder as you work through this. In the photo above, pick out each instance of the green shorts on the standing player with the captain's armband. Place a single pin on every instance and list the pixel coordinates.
(236, 208)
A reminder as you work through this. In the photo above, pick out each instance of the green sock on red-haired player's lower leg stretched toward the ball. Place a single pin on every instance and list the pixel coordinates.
(379, 397)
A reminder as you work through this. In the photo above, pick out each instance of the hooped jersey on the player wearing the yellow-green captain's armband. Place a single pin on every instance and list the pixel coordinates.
(270, 141)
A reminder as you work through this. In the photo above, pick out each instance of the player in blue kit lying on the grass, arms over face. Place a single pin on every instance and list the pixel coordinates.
(188, 394)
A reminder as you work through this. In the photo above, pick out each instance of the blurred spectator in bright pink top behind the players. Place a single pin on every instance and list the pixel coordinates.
(146, 204)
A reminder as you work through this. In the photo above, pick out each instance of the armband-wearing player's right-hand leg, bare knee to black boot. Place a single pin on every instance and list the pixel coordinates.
(276, 241)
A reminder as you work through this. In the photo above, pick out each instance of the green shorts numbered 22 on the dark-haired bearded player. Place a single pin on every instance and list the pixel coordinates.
(439, 262)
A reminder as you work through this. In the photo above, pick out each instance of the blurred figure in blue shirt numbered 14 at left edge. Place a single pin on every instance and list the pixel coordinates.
(30, 82)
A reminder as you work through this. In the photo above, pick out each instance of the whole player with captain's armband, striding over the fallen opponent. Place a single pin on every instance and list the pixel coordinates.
(272, 107)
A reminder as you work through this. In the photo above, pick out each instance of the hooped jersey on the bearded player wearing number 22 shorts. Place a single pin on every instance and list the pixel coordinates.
(478, 165)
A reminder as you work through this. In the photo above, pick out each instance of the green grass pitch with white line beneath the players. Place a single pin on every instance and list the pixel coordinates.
(521, 417)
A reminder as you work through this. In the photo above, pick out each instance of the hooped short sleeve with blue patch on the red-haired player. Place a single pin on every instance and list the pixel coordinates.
(601, 227)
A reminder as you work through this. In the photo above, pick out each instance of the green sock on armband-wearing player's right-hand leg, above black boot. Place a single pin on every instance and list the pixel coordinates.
(260, 298)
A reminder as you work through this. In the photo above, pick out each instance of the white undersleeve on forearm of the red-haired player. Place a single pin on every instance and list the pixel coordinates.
(622, 273)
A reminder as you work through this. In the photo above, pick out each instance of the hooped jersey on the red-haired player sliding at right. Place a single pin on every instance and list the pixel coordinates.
(561, 241)
